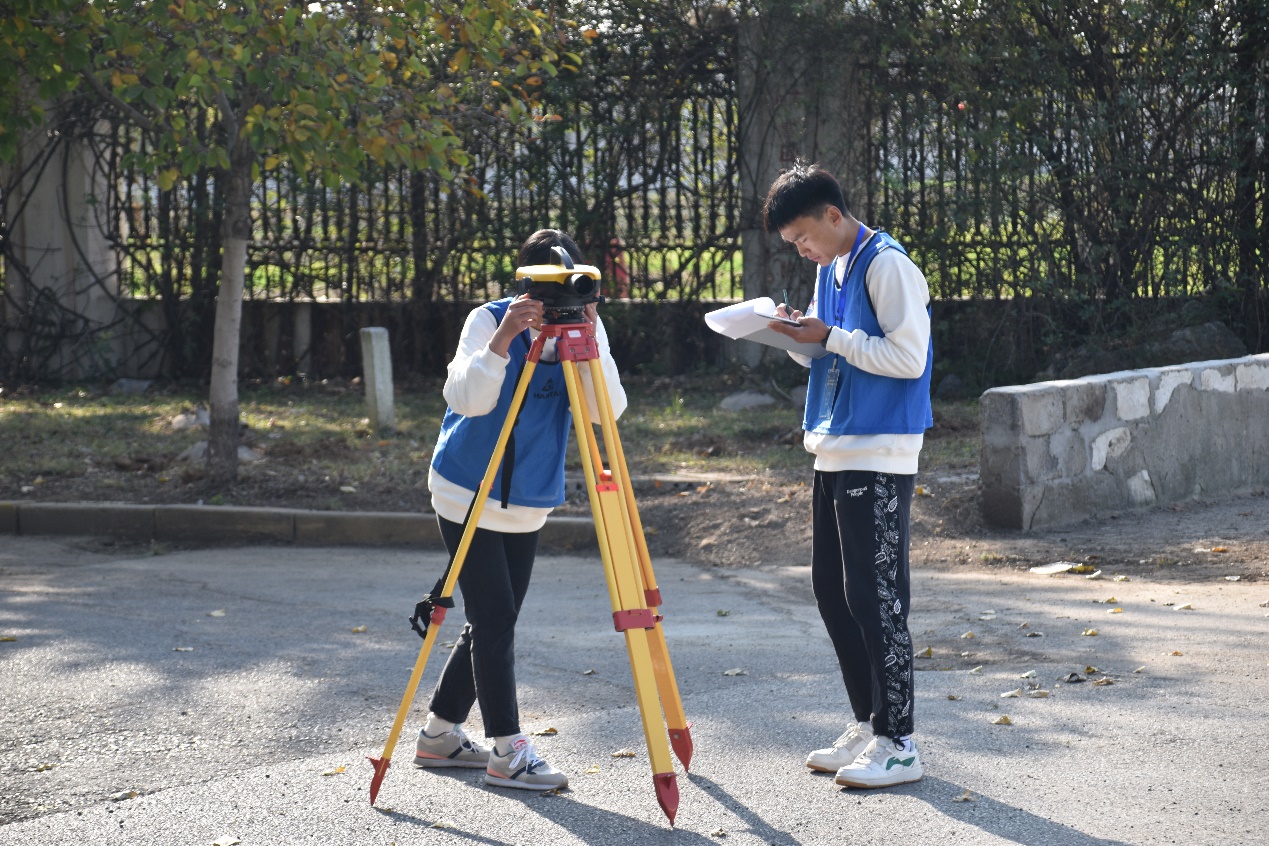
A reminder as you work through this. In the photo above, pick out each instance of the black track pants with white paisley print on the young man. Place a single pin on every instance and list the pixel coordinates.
(862, 587)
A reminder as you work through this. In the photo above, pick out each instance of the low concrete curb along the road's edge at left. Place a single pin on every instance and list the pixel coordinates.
(219, 524)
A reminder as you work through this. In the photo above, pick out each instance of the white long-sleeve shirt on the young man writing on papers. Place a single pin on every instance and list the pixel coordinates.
(900, 297)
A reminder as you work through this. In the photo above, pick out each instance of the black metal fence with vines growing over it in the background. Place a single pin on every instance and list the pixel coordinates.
(1067, 164)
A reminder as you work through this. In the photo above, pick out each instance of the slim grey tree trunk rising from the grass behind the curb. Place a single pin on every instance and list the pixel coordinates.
(224, 436)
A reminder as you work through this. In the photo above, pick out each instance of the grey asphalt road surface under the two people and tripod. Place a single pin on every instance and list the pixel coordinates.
(230, 697)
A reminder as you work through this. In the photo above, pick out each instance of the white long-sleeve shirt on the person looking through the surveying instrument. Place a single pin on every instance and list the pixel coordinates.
(473, 389)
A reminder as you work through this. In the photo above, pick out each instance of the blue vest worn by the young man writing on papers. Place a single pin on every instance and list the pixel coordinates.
(862, 404)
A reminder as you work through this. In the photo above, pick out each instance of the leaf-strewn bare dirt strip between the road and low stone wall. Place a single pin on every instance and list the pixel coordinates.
(767, 524)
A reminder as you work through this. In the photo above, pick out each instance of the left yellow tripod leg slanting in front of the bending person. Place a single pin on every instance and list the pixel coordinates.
(438, 616)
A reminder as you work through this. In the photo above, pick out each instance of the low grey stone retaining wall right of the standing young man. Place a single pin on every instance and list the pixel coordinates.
(1062, 452)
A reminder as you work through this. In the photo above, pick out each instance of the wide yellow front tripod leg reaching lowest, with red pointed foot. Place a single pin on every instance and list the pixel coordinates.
(631, 615)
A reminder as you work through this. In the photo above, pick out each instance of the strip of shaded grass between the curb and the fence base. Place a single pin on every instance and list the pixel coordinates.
(78, 443)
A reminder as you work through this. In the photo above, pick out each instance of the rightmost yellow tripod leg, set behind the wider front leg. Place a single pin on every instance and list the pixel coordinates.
(668, 687)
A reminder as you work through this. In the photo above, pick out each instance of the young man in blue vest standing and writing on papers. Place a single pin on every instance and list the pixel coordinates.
(867, 409)
